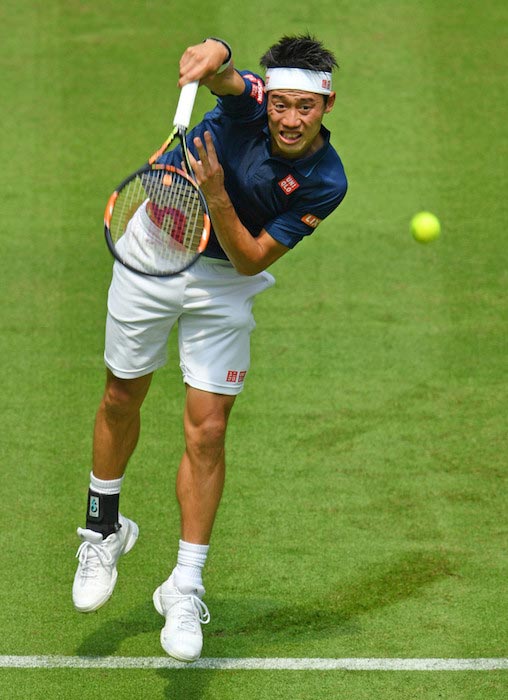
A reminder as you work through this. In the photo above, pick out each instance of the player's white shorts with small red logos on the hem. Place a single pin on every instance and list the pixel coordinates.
(212, 304)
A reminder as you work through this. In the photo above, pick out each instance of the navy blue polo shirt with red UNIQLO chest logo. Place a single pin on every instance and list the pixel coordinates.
(286, 197)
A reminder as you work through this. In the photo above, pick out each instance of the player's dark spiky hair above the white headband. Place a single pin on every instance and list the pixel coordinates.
(303, 51)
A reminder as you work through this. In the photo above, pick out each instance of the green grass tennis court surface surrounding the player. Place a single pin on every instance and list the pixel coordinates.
(365, 508)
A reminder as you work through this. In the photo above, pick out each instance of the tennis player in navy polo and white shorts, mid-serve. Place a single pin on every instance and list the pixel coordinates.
(270, 175)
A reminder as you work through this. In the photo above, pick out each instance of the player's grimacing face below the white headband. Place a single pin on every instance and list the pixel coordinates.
(294, 120)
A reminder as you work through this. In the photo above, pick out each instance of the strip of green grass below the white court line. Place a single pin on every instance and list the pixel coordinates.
(232, 685)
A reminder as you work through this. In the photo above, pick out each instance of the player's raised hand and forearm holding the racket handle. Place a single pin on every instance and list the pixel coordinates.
(210, 62)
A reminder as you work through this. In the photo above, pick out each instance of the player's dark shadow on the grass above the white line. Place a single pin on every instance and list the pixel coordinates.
(340, 612)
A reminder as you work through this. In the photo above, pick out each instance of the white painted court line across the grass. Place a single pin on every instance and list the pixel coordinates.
(253, 664)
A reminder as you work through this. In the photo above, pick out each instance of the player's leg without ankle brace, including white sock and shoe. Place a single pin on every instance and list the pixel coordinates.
(199, 487)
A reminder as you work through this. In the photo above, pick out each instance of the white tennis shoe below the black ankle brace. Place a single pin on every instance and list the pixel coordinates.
(96, 576)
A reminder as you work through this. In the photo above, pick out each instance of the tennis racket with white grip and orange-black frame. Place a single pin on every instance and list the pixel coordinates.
(156, 221)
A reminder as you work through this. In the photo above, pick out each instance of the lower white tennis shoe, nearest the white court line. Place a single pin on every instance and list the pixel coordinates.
(185, 612)
